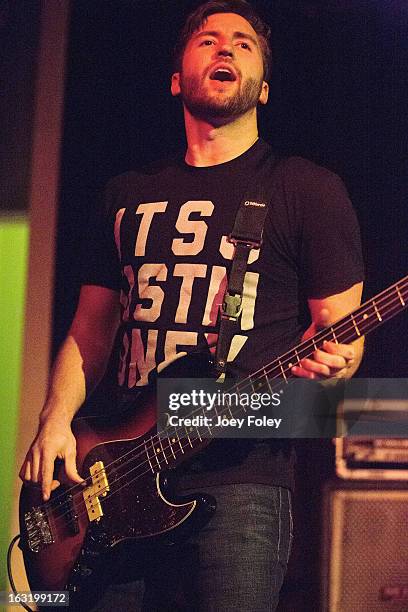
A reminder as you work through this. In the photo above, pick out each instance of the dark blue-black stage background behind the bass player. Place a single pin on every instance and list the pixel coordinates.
(339, 96)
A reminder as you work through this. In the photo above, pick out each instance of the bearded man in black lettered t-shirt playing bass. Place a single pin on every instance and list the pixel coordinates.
(163, 246)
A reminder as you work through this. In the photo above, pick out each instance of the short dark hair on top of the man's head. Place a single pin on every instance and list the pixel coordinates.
(241, 7)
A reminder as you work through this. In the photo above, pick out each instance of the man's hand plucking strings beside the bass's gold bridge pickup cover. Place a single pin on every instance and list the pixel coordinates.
(54, 440)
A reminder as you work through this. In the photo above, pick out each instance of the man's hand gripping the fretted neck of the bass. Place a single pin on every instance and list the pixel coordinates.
(331, 361)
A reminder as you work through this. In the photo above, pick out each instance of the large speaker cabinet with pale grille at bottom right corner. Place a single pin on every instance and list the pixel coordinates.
(365, 548)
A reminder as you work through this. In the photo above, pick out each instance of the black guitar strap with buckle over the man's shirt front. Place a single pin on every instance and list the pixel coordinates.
(246, 235)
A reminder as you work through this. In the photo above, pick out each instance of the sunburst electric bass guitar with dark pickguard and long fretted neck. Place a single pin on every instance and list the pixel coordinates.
(70, 541)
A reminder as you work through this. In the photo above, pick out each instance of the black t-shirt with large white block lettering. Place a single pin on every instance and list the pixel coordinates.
(162, 243)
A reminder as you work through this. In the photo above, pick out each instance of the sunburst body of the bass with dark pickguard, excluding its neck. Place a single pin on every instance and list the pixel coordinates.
(65, 549)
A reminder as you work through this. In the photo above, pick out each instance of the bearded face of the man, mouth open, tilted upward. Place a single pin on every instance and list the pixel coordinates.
(222, 69)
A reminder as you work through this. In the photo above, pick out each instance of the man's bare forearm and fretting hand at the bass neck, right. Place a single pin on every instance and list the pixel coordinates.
(332, 360)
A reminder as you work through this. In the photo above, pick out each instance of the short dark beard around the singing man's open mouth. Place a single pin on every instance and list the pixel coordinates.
(204, 106)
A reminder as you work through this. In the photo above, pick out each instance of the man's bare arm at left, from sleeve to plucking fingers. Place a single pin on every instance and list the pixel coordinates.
(80, 365)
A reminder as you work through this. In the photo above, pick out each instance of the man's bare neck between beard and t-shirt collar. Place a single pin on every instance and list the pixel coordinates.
(210, 144)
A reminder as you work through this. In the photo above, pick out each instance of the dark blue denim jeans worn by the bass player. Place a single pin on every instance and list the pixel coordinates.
(236, 562)
